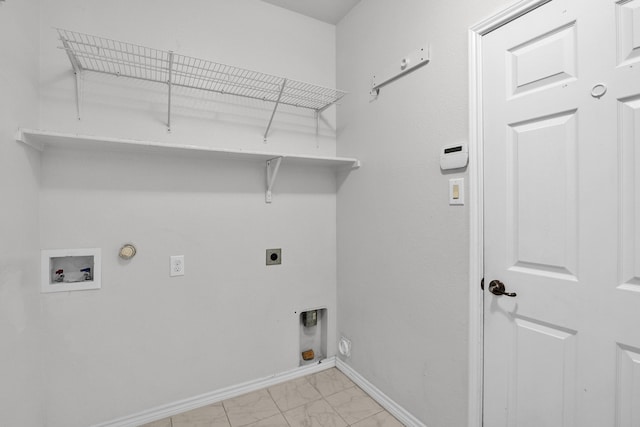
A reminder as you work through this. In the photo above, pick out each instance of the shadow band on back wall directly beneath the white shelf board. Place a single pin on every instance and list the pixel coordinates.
(187, 172)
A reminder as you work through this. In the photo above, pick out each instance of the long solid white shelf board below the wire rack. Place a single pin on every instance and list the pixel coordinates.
(45, 140)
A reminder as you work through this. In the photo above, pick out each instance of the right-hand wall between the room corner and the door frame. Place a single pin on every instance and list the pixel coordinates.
(402, 250)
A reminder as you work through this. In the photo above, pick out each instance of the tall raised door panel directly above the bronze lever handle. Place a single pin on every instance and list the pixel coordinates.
(543, 242)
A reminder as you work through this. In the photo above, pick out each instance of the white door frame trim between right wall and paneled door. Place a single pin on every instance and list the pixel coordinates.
(476, 198)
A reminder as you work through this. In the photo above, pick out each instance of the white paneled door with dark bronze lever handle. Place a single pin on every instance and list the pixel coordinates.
(561, 103)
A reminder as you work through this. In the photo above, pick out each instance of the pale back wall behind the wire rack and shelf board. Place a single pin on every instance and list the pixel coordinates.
(146, 339)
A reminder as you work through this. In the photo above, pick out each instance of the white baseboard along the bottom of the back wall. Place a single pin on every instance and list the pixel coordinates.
(165, 411)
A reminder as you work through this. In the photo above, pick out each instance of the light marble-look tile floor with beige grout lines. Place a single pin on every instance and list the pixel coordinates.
(324, 399)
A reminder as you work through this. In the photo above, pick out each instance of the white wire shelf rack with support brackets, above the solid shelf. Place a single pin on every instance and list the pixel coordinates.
(97, 54)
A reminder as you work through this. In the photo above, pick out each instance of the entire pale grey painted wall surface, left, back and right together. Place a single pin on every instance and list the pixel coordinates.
(144, 339)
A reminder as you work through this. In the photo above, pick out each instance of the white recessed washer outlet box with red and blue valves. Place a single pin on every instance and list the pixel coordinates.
(70, 270)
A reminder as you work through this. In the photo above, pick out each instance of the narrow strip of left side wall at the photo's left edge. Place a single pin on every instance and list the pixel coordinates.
(20, 321)
